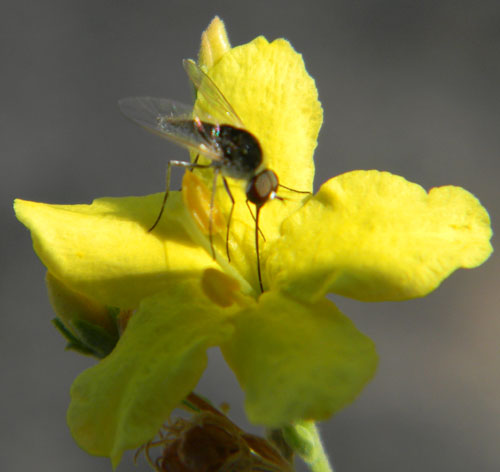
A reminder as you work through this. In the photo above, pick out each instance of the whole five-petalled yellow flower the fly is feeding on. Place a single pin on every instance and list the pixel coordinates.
(368, 235)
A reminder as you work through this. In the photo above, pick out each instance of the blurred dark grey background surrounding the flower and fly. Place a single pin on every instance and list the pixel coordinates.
(408, 87)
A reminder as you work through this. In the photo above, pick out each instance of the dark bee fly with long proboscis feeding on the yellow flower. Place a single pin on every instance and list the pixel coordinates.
(233, 151)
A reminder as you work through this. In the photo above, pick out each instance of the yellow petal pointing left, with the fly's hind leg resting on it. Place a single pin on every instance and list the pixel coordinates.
(104, 250)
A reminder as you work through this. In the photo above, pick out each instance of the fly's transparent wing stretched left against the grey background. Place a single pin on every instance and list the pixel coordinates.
(171, 120)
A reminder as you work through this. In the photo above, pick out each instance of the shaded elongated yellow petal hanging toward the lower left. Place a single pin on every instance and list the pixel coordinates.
(121, 402)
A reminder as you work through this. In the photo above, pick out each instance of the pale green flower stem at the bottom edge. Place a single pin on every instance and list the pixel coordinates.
(305, 440)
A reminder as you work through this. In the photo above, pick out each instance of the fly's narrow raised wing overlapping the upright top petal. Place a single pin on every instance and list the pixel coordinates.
(214, 97)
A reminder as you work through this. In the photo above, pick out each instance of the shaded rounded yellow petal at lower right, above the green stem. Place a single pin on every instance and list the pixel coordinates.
(297, 361)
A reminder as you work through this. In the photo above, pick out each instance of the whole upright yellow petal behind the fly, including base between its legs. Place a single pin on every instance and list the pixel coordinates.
(270, 90)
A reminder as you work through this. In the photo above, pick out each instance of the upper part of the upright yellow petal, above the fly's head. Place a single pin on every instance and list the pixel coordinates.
(277, 100)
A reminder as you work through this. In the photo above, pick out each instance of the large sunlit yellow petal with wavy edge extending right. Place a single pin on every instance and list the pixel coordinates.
(374, 236)
